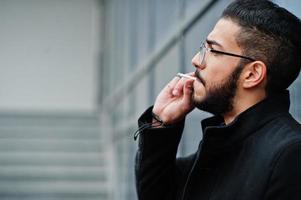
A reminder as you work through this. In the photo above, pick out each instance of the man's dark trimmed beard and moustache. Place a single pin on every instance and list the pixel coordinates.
(219, 98)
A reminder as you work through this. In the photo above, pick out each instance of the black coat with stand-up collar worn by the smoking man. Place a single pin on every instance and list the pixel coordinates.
(257, 156)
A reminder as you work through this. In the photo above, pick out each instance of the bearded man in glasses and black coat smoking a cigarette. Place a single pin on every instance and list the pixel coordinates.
(251, 147)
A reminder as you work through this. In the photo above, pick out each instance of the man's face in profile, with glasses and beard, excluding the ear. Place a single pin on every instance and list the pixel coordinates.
(218, 74)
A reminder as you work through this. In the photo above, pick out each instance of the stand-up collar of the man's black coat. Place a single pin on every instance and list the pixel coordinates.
(216, 135)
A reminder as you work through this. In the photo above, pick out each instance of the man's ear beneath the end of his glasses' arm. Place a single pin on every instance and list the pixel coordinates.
(254, 75)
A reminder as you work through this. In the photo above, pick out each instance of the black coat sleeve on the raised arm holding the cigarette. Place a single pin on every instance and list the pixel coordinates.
(156, 163)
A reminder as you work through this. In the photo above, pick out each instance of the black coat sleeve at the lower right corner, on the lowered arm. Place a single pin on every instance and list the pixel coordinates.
(285, 181)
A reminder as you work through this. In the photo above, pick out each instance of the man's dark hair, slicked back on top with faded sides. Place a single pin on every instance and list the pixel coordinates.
(271, 34)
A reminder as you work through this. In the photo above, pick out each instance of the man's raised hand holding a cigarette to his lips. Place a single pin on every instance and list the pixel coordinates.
(175, 100)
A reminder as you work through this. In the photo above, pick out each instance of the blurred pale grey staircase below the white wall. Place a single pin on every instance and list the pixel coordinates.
(52, 157)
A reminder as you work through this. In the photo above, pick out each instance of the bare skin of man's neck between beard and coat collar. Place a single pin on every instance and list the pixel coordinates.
(241, 103)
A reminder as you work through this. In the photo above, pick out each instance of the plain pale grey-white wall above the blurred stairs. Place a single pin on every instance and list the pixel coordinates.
(49, 54)
